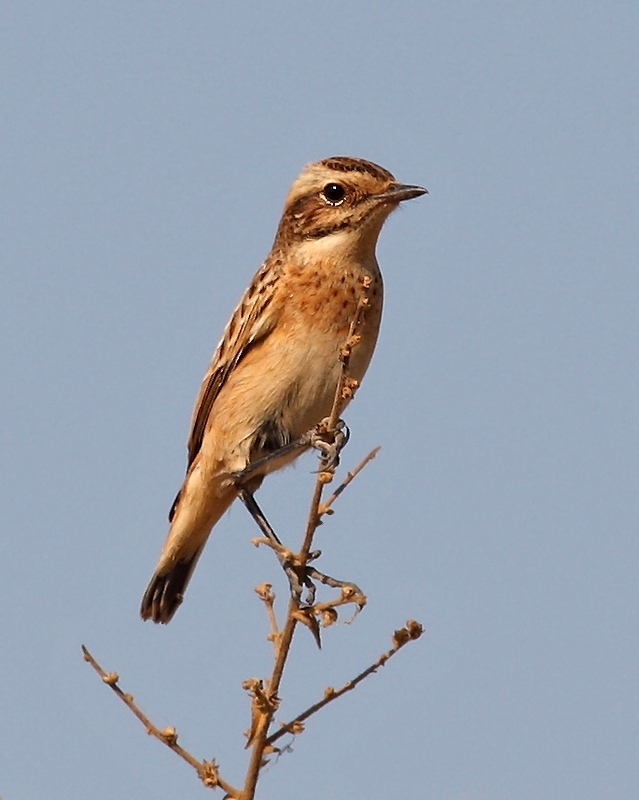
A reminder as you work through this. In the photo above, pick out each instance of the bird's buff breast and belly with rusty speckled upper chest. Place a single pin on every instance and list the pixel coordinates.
(289, 379)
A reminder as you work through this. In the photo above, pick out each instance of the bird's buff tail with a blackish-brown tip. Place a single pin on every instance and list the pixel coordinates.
(190, 528)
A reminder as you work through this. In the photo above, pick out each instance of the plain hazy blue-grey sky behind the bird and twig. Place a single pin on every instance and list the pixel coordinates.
(147, 148)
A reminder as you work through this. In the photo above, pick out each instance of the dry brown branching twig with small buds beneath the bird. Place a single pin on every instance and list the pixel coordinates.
(330, 436)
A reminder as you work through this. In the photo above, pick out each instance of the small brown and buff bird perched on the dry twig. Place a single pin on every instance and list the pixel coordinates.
(274, 373)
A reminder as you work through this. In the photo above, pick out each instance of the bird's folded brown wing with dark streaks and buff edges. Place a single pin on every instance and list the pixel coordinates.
(252, 321)
